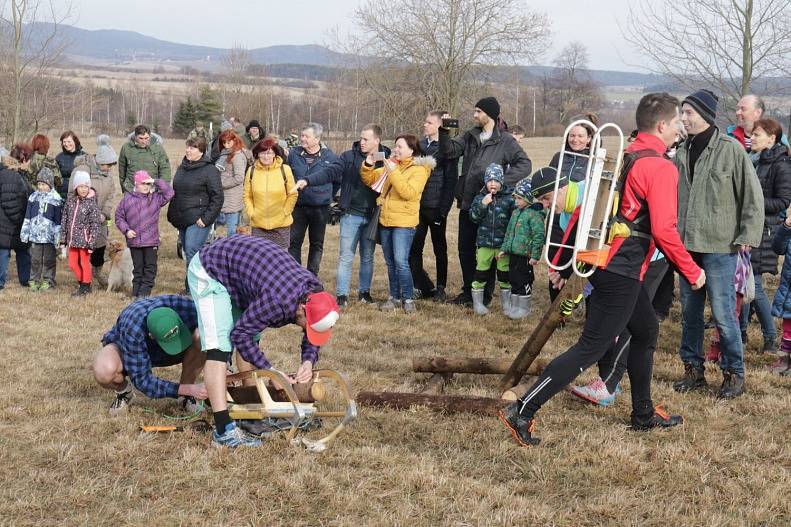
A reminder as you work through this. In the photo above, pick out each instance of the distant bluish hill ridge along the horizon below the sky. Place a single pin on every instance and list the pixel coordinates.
(305, 62)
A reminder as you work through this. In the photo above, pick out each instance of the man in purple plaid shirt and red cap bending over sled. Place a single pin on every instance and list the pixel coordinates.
(271, 290)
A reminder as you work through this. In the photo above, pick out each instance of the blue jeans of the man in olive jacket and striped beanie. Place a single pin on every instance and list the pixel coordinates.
(720, 270)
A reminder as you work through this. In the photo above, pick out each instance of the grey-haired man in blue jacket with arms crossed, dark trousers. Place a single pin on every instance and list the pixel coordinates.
(313, 206)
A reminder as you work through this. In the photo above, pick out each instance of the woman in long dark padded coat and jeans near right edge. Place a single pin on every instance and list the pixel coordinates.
(773, 167)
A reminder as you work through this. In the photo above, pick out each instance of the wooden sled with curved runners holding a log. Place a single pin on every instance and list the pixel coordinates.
(262, 400)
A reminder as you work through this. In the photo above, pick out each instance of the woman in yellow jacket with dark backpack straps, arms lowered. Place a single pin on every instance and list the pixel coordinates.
(268, 200)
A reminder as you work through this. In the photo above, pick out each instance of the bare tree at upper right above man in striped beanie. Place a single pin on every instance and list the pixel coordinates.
(726, 45)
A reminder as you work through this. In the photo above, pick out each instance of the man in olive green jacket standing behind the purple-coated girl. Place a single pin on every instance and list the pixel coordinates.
(140, 154)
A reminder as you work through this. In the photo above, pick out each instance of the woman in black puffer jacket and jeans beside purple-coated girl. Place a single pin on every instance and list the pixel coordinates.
(197, 198)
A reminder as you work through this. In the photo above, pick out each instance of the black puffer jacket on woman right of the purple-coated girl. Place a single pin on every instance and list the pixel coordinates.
(198, 194)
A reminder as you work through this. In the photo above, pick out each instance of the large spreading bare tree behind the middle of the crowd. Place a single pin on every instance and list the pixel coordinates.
(440, 45)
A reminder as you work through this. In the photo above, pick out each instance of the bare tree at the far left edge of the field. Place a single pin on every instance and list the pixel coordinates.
(33, 44)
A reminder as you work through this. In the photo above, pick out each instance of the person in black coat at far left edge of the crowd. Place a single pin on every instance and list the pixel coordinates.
(14, 192)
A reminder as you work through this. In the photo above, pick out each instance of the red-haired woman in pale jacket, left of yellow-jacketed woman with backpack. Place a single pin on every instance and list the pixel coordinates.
(231, 164)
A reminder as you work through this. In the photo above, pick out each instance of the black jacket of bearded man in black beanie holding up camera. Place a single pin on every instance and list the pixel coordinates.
(500, 148)
